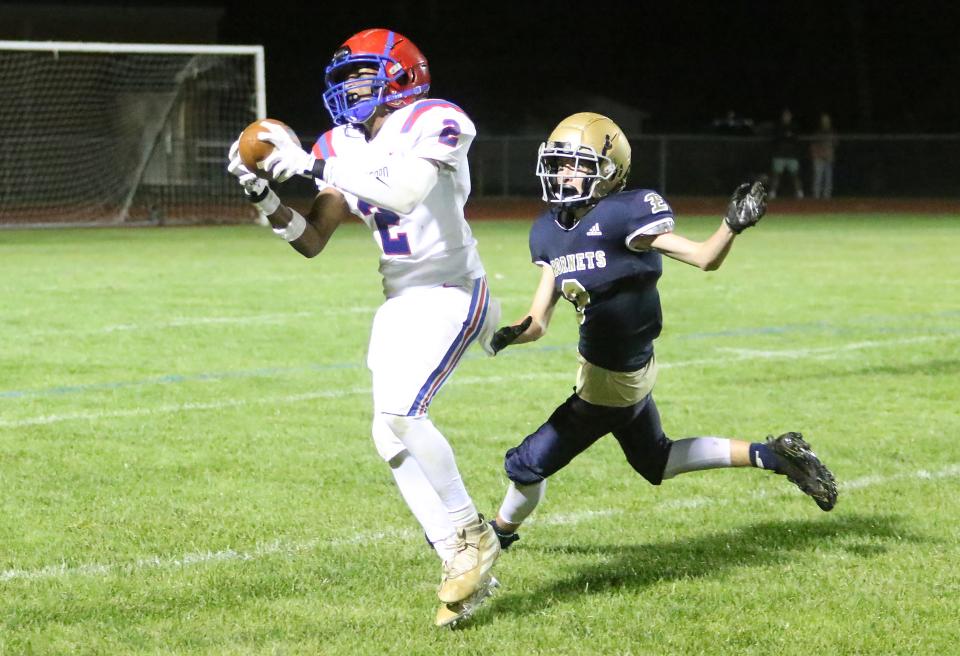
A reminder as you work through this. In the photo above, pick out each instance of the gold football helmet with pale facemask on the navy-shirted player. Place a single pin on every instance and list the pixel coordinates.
(584, 146)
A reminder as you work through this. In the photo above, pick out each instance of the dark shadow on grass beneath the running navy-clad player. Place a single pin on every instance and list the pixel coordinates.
(708, 556)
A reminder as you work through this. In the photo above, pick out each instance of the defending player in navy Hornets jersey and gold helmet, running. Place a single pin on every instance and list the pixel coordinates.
(601, 248)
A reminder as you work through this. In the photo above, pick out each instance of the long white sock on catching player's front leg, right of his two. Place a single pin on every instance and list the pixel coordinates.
(435, 458)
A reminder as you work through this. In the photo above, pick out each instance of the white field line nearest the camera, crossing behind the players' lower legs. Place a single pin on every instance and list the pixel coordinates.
(274, 547)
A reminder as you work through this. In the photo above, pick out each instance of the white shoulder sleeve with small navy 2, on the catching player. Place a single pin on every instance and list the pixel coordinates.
(443, 132)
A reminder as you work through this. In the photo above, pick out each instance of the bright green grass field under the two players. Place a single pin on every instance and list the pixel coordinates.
(186, 467)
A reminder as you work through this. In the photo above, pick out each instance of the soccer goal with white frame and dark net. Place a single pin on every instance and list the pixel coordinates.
(99, 133)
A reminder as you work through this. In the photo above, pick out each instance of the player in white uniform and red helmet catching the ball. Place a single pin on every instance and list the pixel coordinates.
(398, 161)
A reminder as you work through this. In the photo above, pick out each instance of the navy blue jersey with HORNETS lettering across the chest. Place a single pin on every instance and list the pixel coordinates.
(613, 288)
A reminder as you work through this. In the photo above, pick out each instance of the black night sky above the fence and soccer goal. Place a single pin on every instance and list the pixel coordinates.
(517, 67)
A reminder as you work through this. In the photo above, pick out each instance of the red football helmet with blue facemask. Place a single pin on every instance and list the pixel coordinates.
(372, 68)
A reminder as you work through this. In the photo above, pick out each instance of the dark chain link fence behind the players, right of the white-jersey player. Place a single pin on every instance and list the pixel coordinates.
(704, 165)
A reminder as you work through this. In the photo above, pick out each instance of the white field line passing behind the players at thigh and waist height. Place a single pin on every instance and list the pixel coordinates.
(742, 354)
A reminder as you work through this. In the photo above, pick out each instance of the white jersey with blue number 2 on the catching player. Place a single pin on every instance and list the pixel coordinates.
(432, 244)
